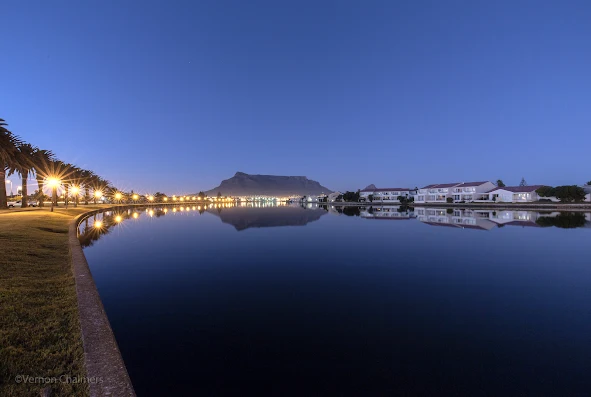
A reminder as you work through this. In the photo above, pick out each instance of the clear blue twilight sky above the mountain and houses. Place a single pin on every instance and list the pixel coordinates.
(175, 96)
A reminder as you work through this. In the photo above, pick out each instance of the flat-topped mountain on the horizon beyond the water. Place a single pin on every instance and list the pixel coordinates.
(242, 184)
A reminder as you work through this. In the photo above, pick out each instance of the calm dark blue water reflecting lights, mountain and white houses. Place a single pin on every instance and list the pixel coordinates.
(287, 301)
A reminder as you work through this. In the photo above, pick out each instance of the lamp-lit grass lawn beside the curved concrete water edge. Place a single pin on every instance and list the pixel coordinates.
(39, 326)
